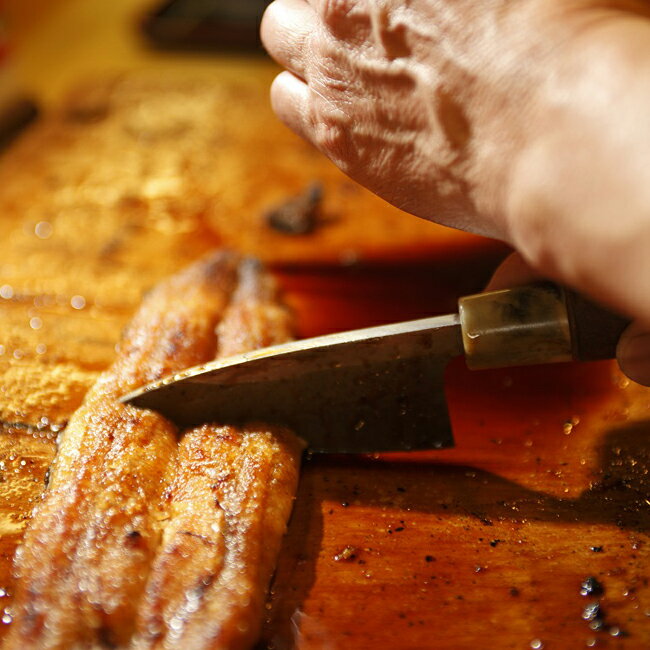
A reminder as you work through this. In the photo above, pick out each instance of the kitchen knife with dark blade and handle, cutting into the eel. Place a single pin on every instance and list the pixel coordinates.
(382, 388)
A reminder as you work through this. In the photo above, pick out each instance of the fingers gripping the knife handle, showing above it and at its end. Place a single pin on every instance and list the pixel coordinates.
(633, 350)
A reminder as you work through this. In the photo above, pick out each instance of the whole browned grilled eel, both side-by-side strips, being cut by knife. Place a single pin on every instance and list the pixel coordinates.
(103, 555)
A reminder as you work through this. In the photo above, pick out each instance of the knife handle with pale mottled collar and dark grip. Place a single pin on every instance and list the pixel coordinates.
(537, 323)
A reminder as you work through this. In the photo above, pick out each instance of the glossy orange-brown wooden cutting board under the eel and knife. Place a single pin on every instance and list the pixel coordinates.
(483, 546)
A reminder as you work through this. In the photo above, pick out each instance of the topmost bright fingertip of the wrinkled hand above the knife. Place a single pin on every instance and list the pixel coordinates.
(285, 30)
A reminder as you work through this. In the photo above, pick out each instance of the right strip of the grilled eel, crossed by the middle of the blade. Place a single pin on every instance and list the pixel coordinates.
(231, 498)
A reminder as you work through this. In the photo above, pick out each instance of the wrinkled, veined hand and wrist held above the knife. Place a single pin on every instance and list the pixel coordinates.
(525, 121)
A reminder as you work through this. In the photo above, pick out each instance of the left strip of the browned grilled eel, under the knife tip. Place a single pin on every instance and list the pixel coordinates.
(87, 552)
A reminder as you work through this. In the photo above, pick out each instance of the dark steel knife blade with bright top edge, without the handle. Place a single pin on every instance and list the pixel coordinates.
(375, 389)
